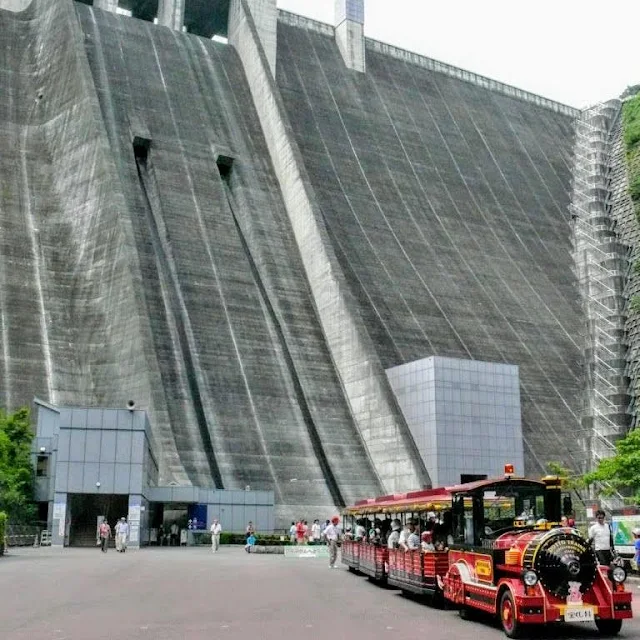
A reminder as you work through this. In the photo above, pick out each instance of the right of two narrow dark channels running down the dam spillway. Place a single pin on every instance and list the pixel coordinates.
(225, 164)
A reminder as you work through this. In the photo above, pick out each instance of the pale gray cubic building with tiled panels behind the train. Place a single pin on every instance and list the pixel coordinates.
(464, 415)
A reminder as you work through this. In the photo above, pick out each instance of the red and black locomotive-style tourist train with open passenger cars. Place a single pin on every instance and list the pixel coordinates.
(499, 547)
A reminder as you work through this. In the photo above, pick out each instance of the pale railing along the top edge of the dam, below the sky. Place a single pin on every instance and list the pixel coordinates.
(419, 60)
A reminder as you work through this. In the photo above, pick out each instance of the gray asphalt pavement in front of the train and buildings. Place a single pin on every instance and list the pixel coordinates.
(192, 594)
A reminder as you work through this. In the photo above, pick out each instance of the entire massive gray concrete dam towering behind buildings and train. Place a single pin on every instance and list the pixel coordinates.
(246, 238)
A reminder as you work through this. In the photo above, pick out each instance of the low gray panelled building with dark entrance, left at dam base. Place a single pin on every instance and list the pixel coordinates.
(94, 463)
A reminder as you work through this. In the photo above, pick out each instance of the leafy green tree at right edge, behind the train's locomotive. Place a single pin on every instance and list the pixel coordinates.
(621, 472)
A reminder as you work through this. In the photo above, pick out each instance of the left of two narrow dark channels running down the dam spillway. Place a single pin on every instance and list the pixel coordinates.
(146, 175)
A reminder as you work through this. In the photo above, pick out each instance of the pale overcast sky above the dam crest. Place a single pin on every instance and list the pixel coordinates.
(576, 52)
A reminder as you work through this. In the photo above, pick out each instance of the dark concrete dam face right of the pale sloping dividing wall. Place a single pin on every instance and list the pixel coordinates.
(446, 203)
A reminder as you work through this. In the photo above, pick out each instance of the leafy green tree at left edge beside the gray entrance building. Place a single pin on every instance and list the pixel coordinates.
(16, 472)
